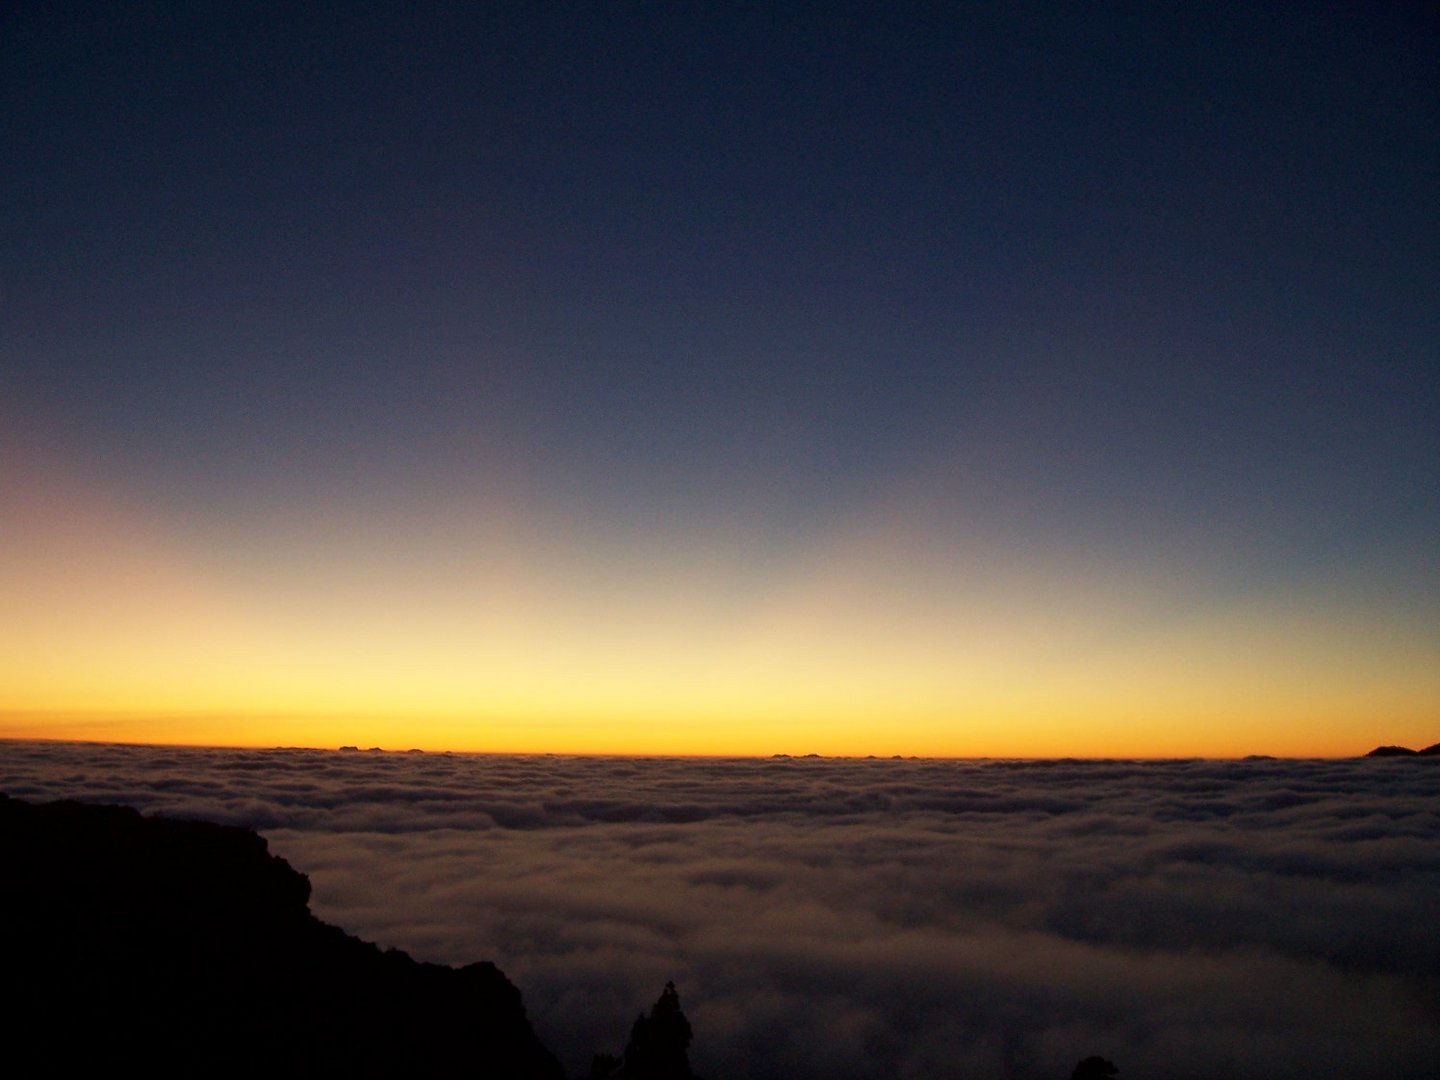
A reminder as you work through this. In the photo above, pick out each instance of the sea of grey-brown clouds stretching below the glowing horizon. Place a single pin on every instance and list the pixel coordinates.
(862, 919)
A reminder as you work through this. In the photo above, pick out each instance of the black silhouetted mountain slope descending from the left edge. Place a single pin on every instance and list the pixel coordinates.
(179, 948)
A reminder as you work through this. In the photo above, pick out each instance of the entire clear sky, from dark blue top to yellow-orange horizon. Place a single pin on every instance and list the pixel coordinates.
(958, 379)
